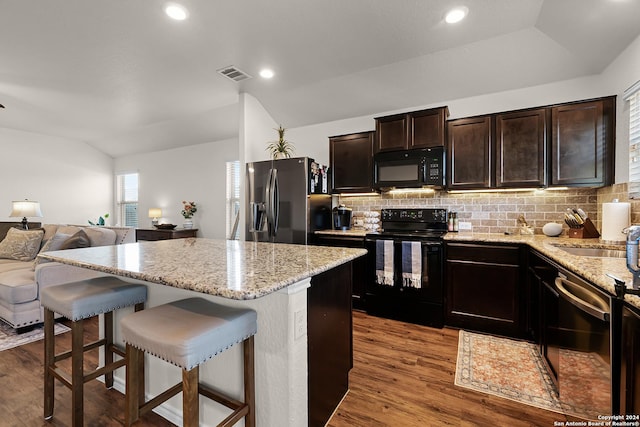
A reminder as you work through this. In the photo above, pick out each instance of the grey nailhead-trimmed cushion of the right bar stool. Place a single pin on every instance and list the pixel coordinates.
(188, 332)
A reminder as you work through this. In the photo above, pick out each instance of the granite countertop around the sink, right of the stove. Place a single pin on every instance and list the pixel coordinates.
(594, 269)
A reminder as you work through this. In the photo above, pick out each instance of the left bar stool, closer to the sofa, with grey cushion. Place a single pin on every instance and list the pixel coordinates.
(78, 301)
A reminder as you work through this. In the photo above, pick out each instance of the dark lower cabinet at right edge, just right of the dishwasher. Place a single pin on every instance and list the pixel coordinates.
(630, 366)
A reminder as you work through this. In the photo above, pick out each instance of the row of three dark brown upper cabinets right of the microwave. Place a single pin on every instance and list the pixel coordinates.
(569, 144)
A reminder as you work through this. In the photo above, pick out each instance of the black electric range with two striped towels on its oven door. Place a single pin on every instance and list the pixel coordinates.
(403, 232)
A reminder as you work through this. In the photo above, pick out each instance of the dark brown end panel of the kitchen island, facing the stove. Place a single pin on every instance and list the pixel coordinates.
(330, 341)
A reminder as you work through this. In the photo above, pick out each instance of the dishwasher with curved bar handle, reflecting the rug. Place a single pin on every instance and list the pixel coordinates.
(584, 333)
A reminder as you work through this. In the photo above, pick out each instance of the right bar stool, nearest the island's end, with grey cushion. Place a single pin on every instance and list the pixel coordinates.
(187, 333)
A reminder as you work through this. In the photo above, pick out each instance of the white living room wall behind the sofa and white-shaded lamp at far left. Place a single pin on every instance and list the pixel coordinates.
(72, 181)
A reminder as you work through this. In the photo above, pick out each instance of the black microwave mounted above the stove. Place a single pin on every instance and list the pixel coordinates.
(409, 169)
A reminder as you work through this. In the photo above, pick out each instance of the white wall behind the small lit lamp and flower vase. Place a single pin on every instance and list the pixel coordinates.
(195, 173)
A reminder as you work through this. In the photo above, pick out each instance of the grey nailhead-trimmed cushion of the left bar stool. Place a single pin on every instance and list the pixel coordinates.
(88, 298)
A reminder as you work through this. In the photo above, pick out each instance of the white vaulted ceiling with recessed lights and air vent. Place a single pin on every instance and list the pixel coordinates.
(123, 77)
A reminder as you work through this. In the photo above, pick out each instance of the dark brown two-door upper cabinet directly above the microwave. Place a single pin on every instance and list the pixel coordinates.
(417, 129)
